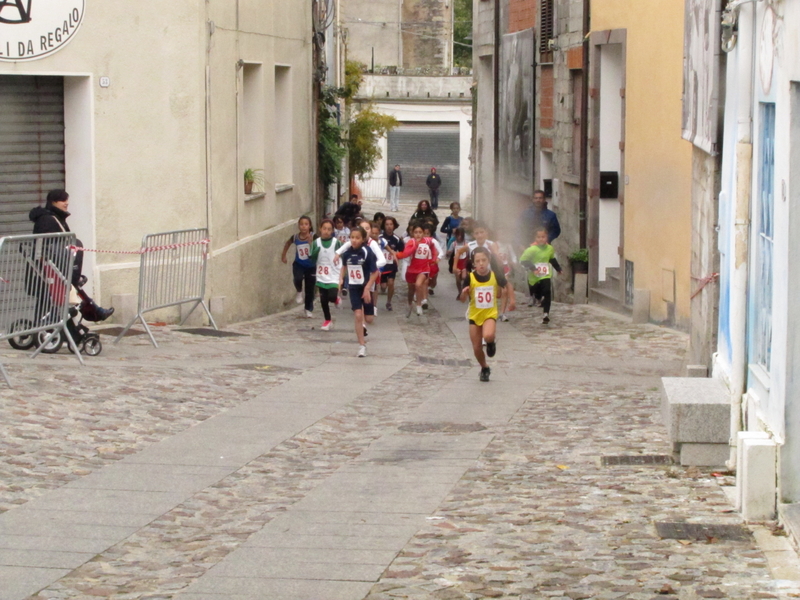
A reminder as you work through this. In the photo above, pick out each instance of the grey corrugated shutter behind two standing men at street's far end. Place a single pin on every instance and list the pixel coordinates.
(417, 147)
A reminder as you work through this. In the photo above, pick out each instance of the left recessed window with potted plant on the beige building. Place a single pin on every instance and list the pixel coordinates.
(252, 133)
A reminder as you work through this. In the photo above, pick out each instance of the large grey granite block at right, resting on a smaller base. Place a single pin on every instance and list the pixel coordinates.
(695, 410)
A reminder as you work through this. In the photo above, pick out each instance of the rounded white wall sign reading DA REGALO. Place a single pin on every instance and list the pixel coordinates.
(31, 29)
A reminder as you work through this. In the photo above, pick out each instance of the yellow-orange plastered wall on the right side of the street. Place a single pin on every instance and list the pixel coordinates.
(658, 163)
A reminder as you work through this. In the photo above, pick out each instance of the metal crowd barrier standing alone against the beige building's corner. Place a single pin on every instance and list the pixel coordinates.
(172, 272)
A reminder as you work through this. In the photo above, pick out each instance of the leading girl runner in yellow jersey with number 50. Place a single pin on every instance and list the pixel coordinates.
(483, 288)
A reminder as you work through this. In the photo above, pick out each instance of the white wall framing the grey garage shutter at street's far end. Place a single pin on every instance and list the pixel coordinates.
(432, 113)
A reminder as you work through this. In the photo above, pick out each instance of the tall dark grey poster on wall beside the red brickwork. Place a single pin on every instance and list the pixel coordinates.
(516, 112)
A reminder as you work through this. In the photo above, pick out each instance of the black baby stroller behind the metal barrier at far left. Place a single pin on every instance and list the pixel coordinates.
(88, 342)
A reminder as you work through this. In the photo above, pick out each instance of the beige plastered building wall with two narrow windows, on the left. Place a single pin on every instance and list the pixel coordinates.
(151, 164)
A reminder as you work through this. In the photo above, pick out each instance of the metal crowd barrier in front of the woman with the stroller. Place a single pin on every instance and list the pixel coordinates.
(35, 282)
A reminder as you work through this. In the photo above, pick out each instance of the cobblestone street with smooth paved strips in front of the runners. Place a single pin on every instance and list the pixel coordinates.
(276, 465)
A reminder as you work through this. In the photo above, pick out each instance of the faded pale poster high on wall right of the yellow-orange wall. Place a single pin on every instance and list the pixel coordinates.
(701, 58)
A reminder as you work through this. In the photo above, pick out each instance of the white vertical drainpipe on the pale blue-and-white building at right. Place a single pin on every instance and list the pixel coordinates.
(745, 66)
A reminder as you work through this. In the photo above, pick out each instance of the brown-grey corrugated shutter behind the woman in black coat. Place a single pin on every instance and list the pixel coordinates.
(31, 146)
